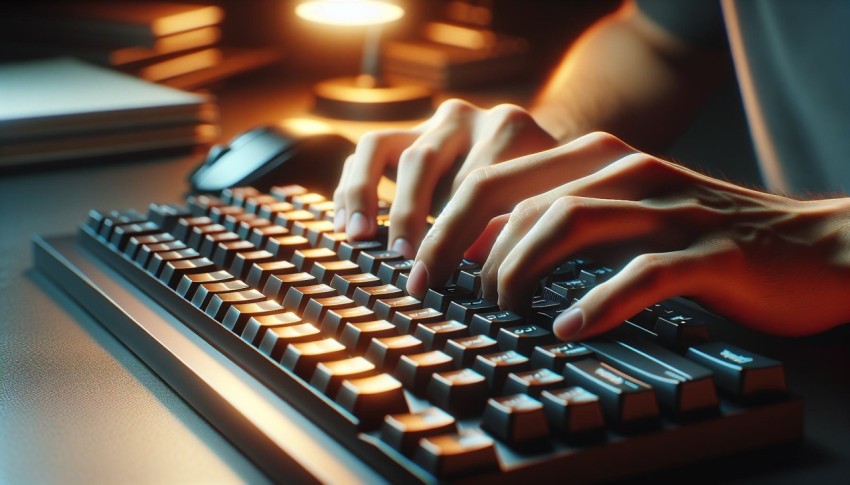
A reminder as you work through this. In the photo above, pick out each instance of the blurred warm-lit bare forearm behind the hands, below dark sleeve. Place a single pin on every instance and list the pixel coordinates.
(628, 77)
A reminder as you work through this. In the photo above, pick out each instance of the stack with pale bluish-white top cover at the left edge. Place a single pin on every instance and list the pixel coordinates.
(55, 111)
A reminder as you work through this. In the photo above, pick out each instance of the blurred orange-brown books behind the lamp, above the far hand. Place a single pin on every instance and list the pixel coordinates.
(451, 56)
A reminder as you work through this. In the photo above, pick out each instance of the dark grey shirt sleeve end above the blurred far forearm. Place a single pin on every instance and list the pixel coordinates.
(698, 23)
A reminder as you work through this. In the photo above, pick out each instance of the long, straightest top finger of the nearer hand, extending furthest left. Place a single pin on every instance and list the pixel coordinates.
(491, 191)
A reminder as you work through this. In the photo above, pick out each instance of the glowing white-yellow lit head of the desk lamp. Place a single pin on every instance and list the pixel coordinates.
(349, 12)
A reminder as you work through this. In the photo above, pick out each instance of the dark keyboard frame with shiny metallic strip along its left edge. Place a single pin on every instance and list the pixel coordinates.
(257, 419)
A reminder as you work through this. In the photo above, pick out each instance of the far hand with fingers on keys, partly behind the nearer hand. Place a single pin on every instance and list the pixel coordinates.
(458, 139)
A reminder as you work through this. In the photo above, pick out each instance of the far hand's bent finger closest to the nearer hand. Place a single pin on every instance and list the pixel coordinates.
(420, 167)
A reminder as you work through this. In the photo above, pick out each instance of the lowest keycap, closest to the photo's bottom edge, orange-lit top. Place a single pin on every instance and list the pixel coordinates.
(457, 454)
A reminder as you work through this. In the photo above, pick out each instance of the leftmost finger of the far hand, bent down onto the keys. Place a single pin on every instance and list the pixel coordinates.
(374, 153)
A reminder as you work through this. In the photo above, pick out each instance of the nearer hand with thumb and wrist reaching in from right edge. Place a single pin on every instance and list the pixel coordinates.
(773, 263)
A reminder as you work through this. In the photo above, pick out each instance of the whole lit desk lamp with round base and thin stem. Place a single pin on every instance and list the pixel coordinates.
(366, 96)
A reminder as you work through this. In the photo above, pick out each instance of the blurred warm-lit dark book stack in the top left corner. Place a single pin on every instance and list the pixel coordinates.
(171, 43)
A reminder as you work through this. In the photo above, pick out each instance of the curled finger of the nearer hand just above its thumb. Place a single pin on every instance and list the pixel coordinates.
(569, 226)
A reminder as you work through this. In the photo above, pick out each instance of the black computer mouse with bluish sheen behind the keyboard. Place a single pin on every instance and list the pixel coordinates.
(294, 152)
